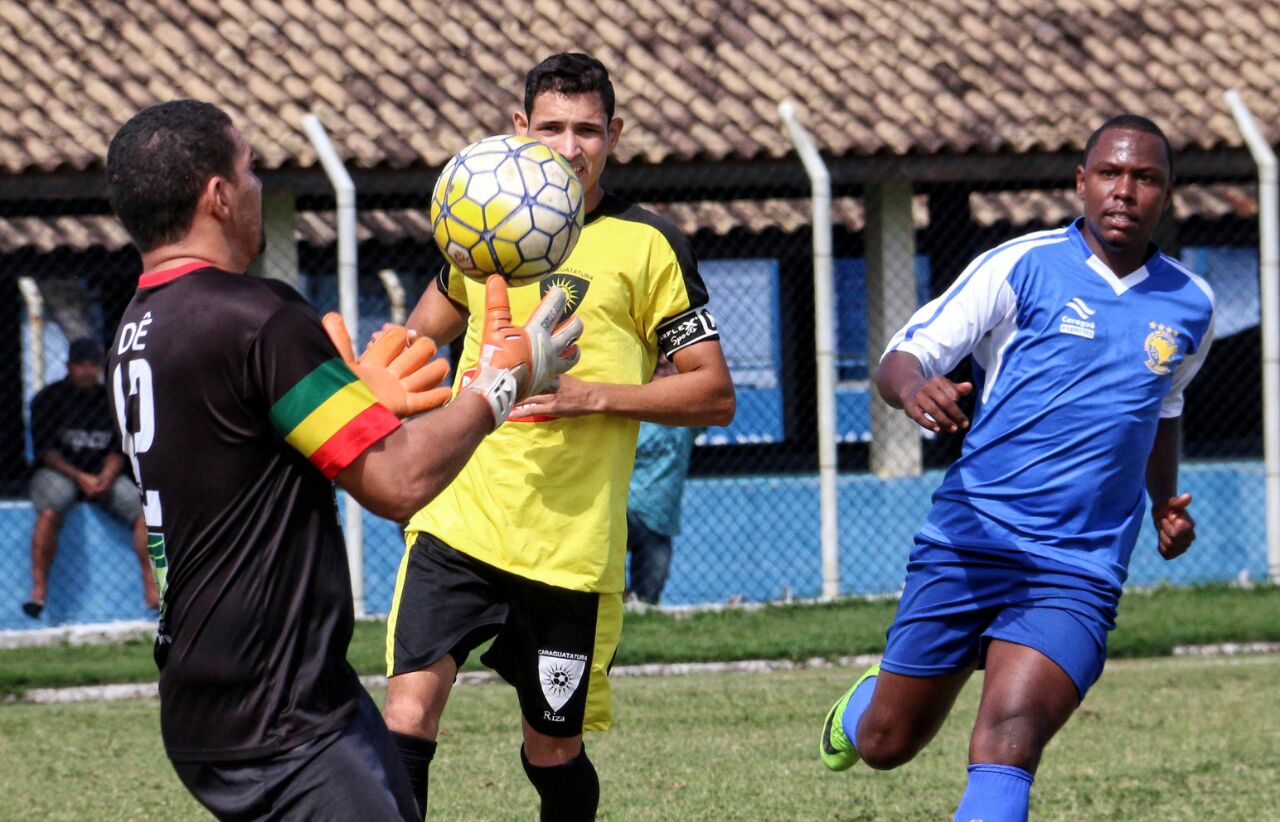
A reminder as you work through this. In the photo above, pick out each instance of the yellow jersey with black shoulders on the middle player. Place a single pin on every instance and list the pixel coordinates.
(547, 500)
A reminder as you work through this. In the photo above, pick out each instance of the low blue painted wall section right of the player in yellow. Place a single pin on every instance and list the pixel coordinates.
(760, 538)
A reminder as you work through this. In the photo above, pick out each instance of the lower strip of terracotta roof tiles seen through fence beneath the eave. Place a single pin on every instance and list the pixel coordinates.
(720, 218)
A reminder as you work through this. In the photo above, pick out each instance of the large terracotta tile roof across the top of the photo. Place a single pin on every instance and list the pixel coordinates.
(405, 83)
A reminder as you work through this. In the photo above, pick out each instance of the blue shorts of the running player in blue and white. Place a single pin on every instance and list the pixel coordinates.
(958, 600)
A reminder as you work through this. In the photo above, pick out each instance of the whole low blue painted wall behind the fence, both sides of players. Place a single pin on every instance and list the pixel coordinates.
(755, 538)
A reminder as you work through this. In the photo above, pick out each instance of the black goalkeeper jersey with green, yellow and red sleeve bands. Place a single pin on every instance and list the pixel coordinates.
(237, 413)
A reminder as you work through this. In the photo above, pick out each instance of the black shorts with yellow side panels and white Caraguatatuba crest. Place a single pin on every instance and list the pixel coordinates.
(554, 645)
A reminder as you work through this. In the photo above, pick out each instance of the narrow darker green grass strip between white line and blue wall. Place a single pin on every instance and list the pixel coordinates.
(1150, 624)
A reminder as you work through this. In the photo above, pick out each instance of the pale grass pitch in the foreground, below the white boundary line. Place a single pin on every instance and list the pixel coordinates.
(1160, 739)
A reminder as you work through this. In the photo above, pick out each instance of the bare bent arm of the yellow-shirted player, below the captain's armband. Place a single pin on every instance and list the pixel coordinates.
(700, 394)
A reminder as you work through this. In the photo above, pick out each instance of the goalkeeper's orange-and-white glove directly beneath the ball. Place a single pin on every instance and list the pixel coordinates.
(520, 362)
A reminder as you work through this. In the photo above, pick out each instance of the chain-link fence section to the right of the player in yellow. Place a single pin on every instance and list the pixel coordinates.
(752, 512)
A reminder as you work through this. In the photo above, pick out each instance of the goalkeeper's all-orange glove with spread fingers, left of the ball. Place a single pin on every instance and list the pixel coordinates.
(404, 378)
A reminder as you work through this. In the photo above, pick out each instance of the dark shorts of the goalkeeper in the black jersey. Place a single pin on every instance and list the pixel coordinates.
(351, 774)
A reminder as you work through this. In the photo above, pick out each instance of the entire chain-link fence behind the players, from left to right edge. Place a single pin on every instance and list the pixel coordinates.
(751, 526)
